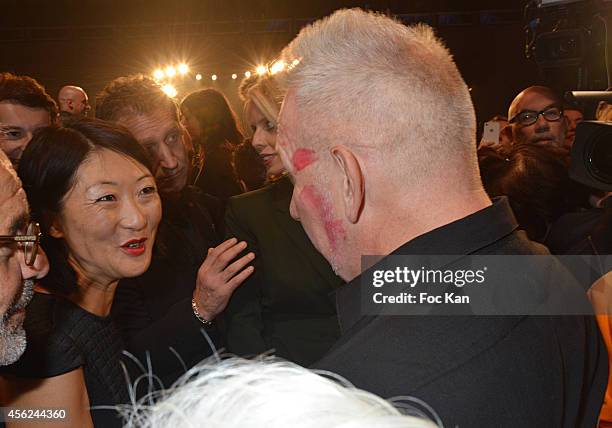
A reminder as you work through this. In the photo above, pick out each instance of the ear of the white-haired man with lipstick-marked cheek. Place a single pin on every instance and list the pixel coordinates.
(353, 188)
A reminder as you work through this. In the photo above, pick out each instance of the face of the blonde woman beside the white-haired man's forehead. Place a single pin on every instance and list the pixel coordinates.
(264, 139)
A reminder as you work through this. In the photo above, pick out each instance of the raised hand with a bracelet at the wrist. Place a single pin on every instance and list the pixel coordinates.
(217, 278)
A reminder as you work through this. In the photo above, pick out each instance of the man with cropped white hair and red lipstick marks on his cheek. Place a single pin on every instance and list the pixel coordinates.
(378, 172)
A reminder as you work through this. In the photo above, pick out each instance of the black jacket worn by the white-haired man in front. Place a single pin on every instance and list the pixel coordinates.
(476, 371)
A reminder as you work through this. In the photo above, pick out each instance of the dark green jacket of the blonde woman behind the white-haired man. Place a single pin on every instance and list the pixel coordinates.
(287, 304)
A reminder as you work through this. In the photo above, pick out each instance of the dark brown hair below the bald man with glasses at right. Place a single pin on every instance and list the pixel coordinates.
(535, 178)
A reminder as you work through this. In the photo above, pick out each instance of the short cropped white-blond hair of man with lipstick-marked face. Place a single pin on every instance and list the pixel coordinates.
(367, 81)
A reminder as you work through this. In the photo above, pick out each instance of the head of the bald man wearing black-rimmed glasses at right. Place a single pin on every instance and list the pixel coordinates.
(536, 116)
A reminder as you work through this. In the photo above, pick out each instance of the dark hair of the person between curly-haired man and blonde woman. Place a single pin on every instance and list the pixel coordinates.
(217, 120)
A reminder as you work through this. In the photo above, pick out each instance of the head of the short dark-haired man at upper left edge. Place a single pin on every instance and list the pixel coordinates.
(25, 106)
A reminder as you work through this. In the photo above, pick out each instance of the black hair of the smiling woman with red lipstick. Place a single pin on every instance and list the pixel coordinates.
(48, 168)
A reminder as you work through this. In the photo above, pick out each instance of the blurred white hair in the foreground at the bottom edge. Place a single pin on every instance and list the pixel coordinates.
(266, 393)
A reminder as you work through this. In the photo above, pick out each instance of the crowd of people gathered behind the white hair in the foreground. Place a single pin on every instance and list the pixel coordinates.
(154, 235)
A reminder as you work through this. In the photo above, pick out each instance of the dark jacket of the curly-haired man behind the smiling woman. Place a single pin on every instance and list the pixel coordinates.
(153, 311)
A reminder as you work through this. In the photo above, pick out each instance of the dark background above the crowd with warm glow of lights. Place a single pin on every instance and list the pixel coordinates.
(90, 42)
